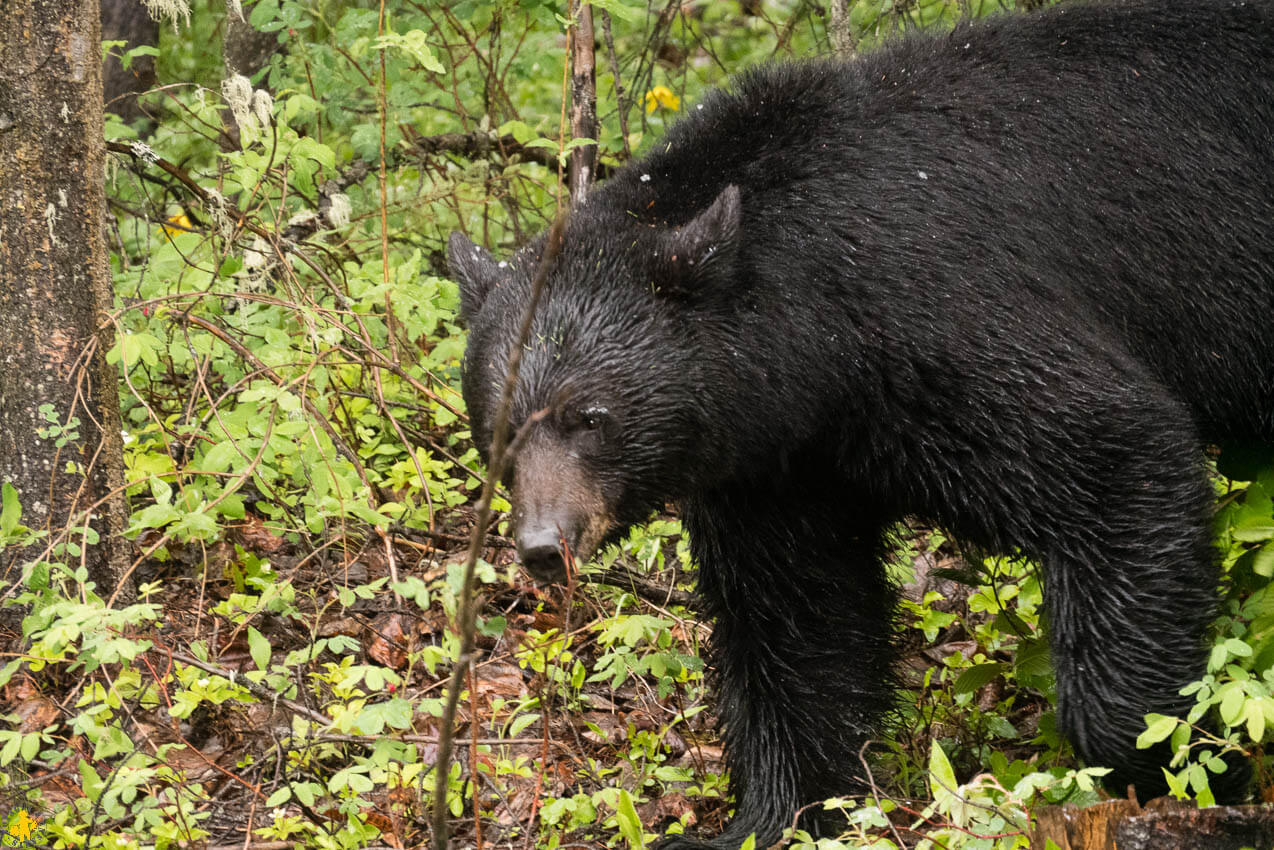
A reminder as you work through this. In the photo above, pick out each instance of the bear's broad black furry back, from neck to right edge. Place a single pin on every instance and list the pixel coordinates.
(1109, 164)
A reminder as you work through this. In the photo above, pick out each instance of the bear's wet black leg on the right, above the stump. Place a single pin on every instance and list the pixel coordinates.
(1132, 589)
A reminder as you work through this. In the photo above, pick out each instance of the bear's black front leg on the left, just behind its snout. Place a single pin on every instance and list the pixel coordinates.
(802, 648)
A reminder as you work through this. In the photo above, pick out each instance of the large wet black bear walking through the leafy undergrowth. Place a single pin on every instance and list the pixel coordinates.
(1008, 280)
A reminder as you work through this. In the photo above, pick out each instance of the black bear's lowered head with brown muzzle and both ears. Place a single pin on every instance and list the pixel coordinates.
(616, 384)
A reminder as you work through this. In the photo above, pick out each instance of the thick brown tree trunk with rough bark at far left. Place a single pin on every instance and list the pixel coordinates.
(55, 285)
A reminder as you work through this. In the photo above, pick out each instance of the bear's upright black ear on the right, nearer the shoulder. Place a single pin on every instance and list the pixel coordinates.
(704, 249)
